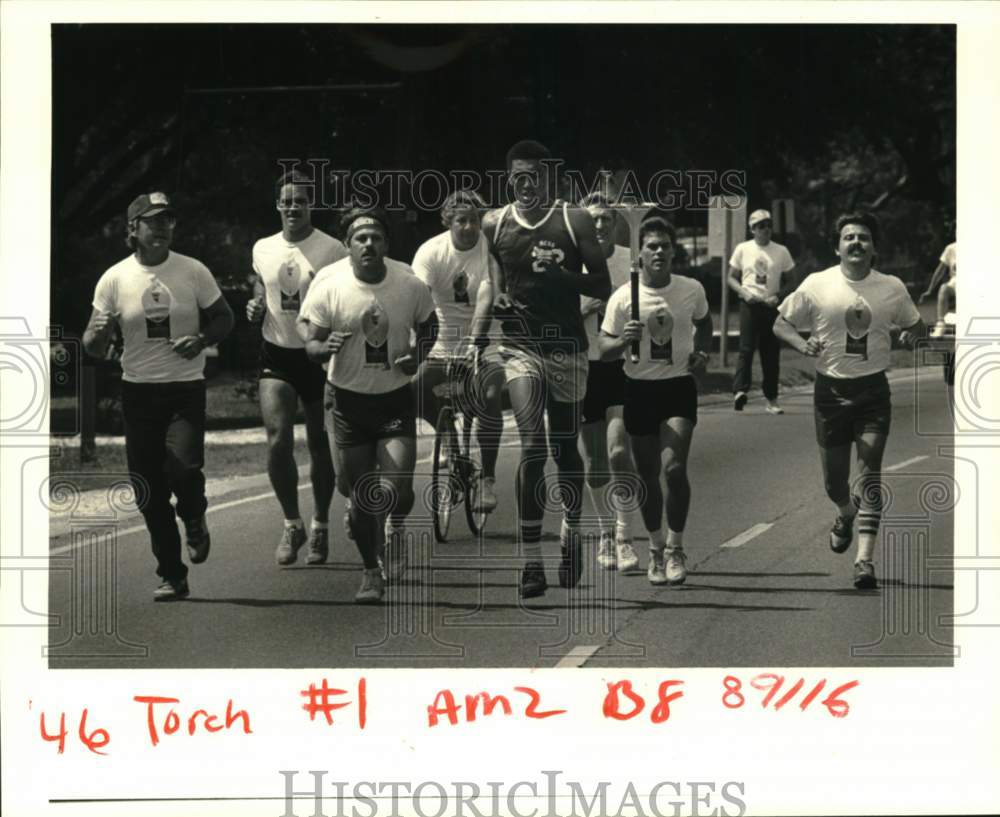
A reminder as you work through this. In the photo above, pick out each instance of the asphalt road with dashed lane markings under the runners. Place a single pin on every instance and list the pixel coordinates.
(764, 589)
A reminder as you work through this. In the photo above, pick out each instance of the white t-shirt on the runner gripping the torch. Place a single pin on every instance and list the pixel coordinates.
(668, 314)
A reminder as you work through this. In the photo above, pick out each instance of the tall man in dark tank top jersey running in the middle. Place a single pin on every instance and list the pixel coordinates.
(541, 245)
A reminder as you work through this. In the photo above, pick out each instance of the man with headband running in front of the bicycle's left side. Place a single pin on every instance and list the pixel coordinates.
(360, 312)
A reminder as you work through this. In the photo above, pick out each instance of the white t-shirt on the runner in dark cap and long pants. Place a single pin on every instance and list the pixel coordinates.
(154, 307)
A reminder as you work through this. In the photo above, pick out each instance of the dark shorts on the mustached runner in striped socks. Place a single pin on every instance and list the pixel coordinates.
(845, 408)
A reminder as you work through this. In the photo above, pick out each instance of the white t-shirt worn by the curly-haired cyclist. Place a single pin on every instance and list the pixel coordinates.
(453, 277)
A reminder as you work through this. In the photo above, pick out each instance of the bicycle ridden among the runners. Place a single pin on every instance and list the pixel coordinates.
(457, 468)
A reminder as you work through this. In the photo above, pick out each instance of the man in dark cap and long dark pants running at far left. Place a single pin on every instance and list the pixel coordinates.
(157, 297)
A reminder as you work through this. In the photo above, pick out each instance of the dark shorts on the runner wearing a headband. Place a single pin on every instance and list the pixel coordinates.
(359, 419)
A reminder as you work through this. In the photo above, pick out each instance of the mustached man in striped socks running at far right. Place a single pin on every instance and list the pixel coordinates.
(849, 311)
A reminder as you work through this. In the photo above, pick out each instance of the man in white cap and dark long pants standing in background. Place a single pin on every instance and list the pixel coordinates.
(760, 274)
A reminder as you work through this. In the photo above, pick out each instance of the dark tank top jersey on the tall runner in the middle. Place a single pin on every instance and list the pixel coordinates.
(551, 312)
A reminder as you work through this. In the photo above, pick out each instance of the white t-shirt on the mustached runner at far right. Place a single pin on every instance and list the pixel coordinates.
(853, 318)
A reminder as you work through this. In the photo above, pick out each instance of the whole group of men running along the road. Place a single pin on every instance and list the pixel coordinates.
(573, 352)
